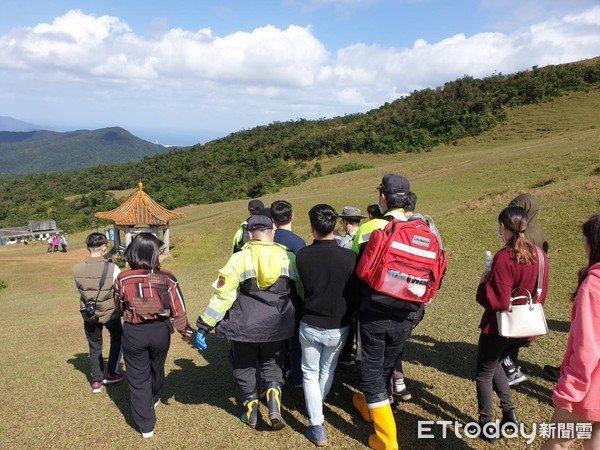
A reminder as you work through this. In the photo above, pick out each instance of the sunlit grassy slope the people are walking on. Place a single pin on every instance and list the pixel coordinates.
(551, 150)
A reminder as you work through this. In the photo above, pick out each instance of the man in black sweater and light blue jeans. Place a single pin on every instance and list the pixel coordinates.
(326, 270)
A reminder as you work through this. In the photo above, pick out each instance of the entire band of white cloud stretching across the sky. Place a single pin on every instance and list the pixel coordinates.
(248, 78)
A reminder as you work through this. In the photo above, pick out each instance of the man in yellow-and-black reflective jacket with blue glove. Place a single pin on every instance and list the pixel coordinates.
(254, 307)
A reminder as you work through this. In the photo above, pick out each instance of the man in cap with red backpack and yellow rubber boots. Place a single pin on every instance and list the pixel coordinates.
(393, 291)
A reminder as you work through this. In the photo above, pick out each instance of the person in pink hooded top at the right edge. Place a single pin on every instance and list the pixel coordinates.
(577, 393)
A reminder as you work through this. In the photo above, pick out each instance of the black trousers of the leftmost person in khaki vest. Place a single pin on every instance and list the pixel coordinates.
(93, 333)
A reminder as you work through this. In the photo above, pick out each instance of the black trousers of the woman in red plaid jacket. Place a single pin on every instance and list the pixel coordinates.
(145, 348)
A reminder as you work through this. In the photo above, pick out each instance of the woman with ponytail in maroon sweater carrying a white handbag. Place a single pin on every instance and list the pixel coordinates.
(514, 266)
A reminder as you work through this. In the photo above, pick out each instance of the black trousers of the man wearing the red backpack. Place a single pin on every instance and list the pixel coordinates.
(382, 341)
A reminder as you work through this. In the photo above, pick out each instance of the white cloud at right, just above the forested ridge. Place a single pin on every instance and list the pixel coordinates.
(376, 69)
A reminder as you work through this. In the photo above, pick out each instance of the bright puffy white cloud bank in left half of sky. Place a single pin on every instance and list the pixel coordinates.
(104, 47)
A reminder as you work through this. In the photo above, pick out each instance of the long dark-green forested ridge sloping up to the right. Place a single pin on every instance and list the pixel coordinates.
(264, 159)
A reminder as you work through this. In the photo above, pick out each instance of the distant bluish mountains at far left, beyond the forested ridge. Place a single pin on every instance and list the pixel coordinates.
(34, 150)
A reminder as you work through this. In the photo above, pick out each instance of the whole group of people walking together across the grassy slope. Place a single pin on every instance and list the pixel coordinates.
(285, 306)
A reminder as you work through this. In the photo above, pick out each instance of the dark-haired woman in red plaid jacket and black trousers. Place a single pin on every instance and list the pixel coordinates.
(152, 306)
